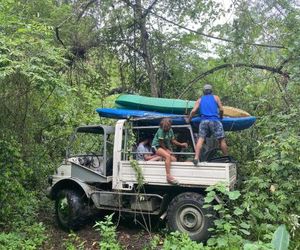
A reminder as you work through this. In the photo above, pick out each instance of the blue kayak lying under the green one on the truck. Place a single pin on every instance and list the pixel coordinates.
(153, 118)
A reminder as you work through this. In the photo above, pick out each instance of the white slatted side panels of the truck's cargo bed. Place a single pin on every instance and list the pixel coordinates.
(154, 173)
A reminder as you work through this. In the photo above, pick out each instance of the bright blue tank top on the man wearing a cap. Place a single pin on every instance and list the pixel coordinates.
(209, 109)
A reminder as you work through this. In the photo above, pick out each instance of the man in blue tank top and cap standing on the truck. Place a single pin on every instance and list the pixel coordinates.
(210, 110)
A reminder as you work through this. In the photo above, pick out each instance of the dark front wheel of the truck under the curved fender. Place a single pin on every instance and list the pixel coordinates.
(69, 207)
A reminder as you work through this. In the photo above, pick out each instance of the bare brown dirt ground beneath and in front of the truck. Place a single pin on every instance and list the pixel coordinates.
(130, 235)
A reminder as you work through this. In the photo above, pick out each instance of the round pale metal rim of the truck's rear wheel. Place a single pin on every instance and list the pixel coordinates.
(190, 219)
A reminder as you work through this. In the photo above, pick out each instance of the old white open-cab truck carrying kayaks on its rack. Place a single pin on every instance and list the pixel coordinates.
(97, 174)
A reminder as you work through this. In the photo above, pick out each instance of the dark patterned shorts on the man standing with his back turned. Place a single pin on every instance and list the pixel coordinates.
(207, 127)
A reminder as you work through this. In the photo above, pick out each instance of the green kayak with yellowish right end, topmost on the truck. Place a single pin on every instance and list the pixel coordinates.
(165, 105)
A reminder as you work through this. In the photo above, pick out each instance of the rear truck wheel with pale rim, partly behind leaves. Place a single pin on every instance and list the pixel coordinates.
(187, 215)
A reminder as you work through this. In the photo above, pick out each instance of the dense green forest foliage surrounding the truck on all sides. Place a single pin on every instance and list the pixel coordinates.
(59, 60)
